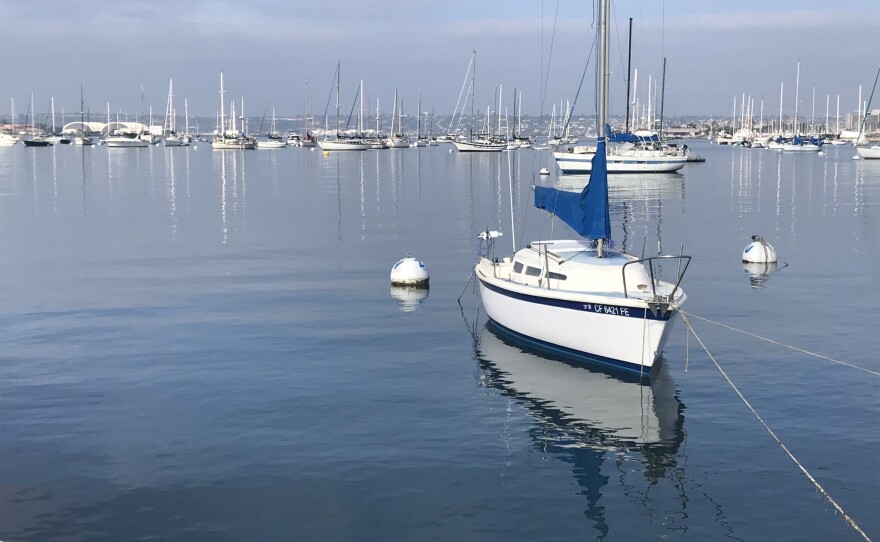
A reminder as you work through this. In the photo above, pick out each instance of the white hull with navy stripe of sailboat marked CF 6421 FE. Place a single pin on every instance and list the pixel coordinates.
(608, 329)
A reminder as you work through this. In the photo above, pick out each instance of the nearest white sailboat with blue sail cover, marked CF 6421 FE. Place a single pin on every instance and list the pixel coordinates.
(581, 298)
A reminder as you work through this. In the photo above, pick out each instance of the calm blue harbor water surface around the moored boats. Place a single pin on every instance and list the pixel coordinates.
(203, 345)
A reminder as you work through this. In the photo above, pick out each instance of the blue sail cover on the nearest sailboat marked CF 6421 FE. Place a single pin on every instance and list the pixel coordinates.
(586, 212)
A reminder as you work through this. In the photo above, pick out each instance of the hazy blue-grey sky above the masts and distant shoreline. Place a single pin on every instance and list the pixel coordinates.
(715, 50)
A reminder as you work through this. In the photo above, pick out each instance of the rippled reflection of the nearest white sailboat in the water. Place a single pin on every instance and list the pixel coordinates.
(606, 427)
